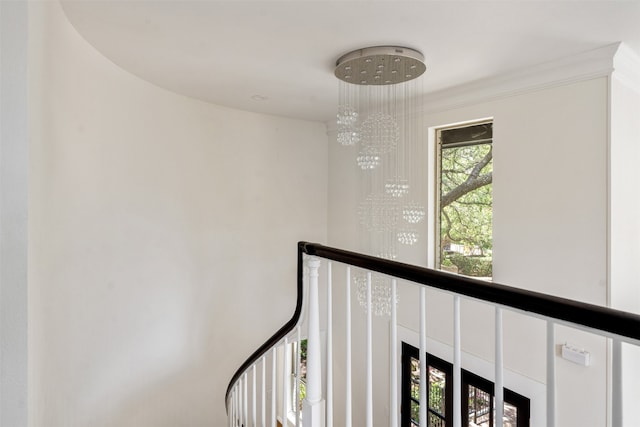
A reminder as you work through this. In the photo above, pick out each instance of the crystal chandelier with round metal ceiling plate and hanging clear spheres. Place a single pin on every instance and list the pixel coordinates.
(380, 113)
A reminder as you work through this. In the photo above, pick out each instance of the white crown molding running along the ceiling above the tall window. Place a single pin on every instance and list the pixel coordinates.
(587, 65)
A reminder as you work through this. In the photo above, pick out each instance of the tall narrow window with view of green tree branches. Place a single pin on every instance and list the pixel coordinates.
(464, 199)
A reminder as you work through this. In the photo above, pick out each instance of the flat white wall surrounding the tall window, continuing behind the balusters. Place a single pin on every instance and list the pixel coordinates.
(550, 234)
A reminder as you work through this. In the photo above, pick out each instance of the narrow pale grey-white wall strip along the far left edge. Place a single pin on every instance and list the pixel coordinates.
(13, 214)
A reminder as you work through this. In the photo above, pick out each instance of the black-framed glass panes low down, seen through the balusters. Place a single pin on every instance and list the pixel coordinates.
(477, 392)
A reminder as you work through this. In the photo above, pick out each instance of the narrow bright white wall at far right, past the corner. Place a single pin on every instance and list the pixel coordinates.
(625, 214)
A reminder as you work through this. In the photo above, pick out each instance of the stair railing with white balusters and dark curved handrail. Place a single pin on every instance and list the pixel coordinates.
(275, 398)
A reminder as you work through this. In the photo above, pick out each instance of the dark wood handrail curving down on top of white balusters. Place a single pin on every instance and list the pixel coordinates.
(615, 322)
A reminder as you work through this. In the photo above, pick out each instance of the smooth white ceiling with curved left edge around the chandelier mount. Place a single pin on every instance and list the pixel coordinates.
(277, 57)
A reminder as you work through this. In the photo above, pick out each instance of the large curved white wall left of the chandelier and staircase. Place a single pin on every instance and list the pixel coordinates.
(162, 238)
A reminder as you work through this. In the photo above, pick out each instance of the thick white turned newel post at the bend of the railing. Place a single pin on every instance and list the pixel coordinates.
(313, 405)
